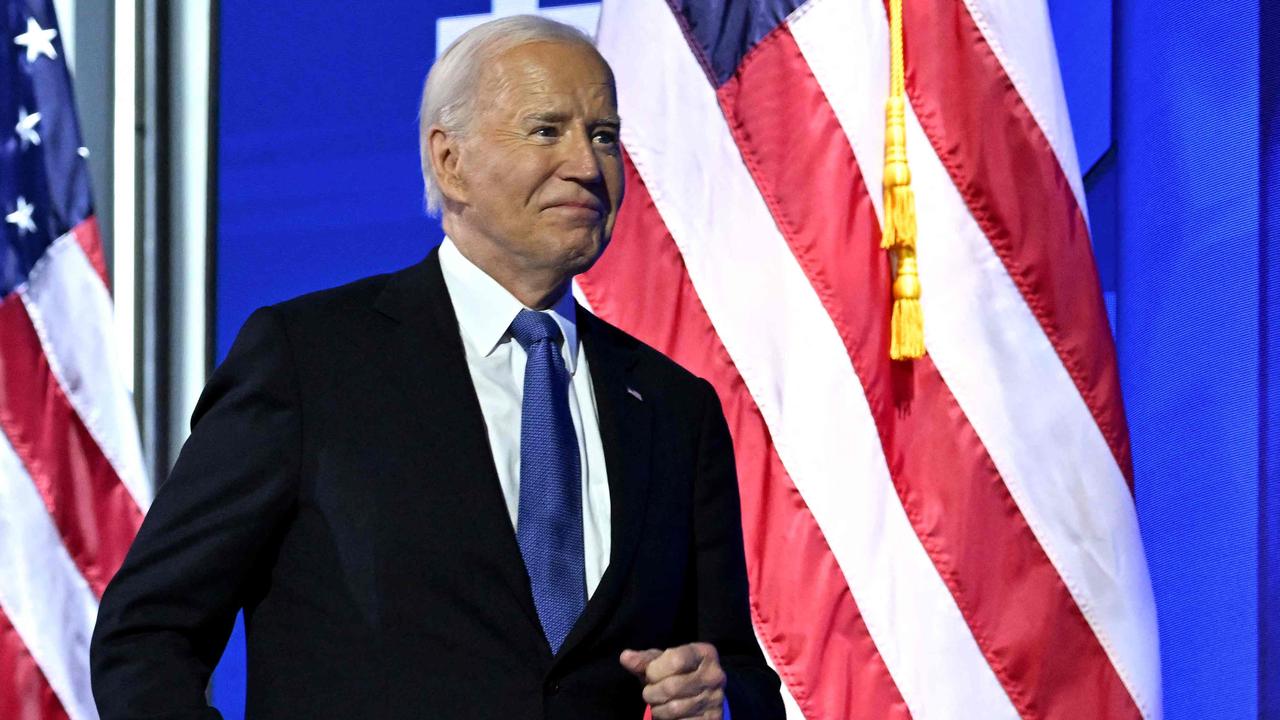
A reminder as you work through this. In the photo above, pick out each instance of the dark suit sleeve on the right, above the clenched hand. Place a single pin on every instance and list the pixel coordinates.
(724, 612)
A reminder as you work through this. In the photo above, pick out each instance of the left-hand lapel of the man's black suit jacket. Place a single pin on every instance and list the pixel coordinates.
(428, 354)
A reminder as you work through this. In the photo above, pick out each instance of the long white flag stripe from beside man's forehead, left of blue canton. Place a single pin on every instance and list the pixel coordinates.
(793, 362)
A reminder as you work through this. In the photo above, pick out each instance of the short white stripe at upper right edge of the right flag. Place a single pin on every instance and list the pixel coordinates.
(1022, 38)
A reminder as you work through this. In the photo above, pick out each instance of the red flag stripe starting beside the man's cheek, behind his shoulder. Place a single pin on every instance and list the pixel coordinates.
(816, 637)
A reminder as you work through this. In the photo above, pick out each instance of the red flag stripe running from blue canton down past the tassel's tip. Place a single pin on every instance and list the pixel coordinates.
(1022, 616)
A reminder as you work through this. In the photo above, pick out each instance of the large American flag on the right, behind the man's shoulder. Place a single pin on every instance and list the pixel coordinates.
(947, 537)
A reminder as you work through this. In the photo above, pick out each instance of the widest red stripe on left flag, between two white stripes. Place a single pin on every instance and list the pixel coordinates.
(89, 504)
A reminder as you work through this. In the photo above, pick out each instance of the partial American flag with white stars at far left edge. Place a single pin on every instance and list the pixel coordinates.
(72, 480)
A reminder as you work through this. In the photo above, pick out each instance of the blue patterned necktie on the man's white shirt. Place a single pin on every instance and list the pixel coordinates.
(550, 521)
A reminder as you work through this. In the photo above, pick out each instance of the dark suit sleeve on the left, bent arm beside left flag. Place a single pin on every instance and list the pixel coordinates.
(166, 617)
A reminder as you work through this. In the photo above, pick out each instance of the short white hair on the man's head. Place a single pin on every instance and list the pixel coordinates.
(449, 95)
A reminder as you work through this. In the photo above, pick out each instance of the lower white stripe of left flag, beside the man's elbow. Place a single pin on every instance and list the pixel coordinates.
(42, 591)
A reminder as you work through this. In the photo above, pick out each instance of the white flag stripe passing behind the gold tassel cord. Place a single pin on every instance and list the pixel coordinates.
(999, 364)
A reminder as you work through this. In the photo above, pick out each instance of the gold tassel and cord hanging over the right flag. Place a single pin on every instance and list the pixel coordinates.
(908, 322)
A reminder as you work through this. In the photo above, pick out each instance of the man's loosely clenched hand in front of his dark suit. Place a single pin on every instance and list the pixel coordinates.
(682, 683)
